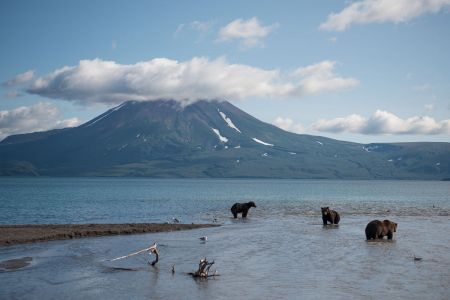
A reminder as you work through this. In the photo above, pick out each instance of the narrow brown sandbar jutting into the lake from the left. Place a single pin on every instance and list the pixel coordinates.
(18, 234)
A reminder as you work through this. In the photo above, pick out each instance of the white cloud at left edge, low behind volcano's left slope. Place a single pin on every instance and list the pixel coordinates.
(38, 117)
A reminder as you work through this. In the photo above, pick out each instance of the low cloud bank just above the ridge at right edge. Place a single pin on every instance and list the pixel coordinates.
(383, 122)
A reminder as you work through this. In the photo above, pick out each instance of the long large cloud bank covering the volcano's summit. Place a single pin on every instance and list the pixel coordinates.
(199, 78)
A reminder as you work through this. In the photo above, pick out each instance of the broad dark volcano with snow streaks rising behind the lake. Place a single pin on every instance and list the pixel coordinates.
(209, 139)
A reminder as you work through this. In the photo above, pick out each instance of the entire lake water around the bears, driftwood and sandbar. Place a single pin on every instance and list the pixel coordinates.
(280, 251)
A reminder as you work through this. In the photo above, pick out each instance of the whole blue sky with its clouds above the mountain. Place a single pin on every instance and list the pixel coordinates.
(363, 71)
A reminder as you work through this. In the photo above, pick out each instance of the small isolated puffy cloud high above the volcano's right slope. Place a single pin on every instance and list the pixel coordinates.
(249, 32)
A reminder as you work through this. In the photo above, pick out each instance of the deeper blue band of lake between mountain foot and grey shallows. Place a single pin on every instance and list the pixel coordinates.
(106, 200)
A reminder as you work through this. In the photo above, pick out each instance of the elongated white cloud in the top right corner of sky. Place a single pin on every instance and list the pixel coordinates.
(379, 11)
